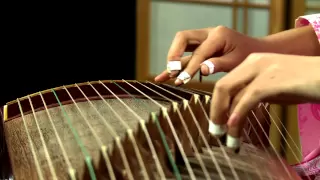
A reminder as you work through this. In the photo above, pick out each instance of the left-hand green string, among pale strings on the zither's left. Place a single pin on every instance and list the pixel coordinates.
(76, 136)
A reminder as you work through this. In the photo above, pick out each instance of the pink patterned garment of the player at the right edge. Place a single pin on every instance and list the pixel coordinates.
(309, 120)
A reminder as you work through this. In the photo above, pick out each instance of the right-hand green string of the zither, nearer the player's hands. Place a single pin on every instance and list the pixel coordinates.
(163, 137)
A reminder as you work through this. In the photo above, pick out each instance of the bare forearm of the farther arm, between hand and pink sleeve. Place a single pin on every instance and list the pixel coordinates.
(298, 41)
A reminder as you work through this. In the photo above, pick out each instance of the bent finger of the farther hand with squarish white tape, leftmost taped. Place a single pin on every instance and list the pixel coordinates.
(180, 44)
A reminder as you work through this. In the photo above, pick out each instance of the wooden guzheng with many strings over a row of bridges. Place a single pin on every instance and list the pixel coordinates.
(128, 130)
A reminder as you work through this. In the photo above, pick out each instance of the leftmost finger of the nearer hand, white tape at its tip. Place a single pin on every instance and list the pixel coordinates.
(225, 89)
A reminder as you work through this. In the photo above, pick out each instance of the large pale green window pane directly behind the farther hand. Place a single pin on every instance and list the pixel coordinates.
(167, 18)
